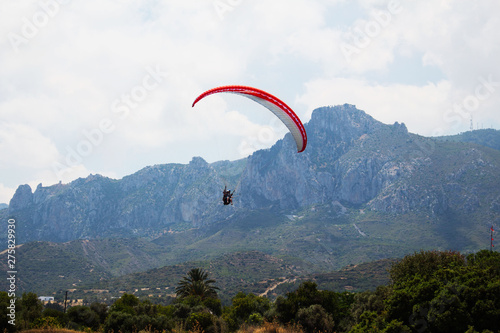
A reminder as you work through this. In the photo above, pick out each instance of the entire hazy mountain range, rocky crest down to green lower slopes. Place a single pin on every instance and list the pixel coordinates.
(362, 191)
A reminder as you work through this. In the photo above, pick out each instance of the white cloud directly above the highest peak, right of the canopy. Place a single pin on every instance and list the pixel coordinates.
(420, 108)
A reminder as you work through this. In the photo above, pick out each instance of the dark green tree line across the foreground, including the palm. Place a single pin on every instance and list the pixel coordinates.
(430, 291)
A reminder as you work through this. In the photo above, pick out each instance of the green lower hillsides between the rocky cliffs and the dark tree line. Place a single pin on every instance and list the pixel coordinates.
(318, 240)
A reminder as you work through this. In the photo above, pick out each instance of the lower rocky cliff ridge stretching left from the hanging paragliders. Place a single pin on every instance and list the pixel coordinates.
(146, 203)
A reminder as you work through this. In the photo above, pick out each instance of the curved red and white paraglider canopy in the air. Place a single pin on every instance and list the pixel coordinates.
(279, 108)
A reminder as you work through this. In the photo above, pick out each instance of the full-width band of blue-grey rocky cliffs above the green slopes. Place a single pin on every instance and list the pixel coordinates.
(351, 159)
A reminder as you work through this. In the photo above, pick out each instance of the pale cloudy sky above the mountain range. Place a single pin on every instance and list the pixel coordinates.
(106, 86)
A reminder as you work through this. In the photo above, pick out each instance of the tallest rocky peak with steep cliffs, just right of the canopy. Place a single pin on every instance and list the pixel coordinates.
(341, 163)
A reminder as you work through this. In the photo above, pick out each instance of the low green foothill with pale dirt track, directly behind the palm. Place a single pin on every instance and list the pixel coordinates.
(248, 272)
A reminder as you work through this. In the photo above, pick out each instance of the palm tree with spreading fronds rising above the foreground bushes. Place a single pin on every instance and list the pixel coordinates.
(196, 283)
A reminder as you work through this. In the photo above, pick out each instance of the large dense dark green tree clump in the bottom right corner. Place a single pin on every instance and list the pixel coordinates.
(446, 292)
